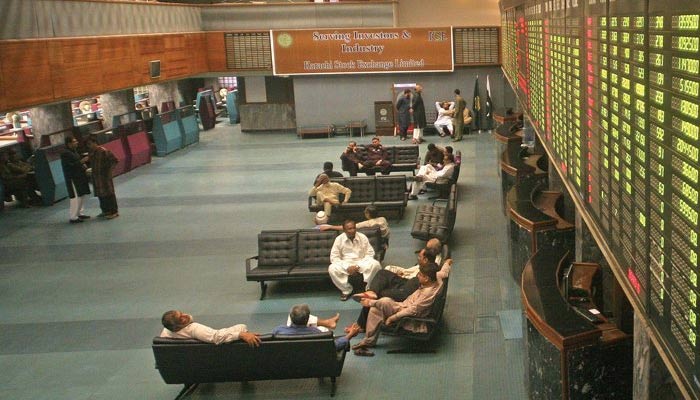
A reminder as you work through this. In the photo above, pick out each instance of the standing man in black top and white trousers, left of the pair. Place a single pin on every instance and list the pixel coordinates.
(77, 181)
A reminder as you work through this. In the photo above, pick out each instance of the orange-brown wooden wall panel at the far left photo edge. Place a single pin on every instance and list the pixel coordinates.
(26, 73)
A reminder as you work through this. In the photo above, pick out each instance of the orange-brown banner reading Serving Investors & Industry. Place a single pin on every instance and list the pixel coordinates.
(361, 50)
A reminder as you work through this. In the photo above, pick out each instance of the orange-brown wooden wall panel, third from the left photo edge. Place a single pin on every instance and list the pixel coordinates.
(117, 55)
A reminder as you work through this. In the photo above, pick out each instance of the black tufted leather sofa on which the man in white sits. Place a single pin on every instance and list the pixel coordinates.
(300, 254)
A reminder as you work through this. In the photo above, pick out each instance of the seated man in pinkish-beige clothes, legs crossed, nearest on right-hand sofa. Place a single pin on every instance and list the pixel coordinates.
(388, 311)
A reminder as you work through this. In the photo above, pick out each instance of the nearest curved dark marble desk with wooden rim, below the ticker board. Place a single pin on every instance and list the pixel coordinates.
(569, 357)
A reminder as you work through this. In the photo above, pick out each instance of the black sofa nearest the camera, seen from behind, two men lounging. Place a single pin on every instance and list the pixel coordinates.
(191, 362)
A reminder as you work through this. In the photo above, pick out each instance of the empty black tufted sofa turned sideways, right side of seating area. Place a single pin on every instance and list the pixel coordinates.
(436, 220)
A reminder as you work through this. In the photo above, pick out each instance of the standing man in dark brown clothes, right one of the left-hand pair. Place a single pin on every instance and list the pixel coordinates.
(102, 161)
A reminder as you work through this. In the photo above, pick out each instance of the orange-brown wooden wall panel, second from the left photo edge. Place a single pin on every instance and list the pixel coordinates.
(77, 62)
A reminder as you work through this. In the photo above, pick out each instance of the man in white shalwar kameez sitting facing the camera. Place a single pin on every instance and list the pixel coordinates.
(351, 254)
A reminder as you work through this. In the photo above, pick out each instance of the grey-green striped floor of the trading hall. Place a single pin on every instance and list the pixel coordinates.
(79, 304)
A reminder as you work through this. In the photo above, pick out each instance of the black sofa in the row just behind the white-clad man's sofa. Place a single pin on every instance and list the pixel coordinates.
(387, 193)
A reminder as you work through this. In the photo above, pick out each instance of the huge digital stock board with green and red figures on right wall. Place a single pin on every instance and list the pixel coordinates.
(612, 87)
